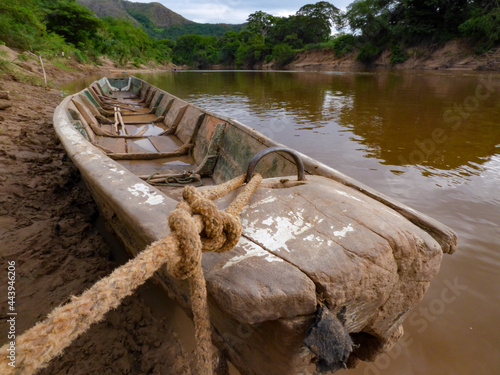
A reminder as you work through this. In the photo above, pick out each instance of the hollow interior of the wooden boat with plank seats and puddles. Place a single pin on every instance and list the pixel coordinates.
(165, 140)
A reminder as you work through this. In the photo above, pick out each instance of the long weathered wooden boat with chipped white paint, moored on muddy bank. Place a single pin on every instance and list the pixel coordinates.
(326, 270)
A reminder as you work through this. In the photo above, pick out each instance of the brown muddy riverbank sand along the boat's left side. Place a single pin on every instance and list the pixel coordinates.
(48, 228)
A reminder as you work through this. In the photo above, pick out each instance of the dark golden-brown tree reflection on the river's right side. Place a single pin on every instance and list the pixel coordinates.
(434, 121)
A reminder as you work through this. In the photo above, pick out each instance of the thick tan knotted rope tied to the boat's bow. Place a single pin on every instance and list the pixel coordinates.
(181, 251)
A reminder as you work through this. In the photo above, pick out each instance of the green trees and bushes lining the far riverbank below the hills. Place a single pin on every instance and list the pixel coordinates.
(56, 28)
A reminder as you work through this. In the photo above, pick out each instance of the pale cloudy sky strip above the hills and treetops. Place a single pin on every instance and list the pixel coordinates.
(235, 11)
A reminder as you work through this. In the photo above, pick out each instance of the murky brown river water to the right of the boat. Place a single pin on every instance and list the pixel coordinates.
(429, 139)
